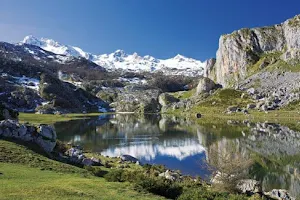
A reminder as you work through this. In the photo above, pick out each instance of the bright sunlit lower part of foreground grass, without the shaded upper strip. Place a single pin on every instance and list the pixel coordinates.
(22, 182)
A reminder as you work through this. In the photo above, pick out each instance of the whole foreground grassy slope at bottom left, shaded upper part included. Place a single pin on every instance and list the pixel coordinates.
(26, 174)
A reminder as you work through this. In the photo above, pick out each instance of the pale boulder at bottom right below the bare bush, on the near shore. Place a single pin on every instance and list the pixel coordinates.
(249, 186)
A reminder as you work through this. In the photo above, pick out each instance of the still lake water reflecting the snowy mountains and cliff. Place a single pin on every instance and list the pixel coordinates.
(183, 145)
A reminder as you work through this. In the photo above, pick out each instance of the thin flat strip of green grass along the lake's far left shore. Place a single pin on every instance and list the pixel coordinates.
(50, 119)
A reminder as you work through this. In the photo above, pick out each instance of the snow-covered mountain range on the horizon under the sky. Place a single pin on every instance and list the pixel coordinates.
(119, 60)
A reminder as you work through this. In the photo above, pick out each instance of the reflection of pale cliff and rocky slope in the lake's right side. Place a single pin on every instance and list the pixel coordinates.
(275, 150)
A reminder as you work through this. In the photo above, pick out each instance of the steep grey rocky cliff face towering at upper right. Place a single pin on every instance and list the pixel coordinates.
(242, 49)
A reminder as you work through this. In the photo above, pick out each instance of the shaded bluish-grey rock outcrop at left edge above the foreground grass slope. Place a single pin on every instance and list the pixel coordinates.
(44, 135)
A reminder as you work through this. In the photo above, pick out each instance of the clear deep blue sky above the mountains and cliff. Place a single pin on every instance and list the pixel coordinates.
(161, 28)
